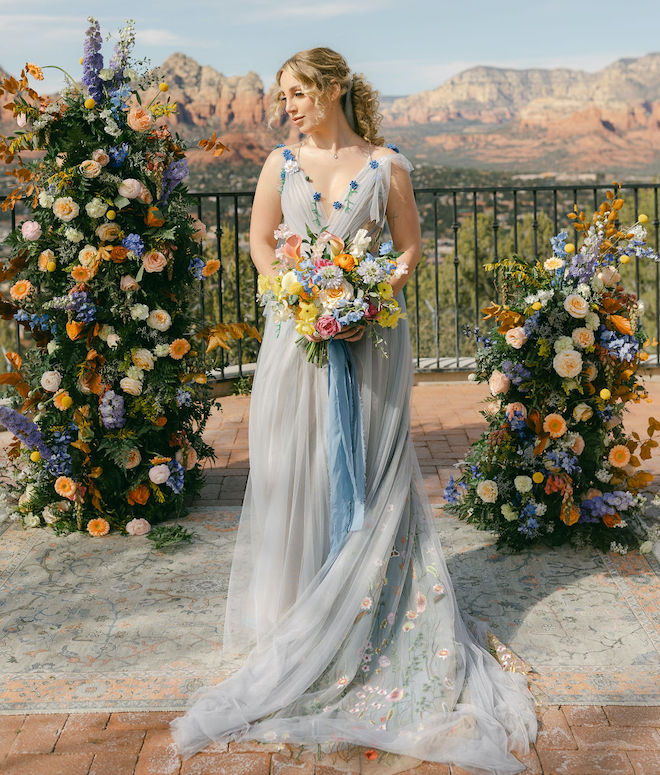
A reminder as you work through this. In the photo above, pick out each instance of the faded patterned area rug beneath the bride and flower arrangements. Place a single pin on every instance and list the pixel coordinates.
(112, 625)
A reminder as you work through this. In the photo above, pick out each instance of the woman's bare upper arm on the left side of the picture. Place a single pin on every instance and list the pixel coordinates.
(266, 214)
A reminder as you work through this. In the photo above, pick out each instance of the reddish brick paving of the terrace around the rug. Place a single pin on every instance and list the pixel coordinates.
(572, 740)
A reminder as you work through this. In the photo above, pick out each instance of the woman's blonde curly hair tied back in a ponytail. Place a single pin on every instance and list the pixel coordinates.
(317, 69)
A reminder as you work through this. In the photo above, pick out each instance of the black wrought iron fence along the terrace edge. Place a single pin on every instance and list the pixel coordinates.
(463, 228)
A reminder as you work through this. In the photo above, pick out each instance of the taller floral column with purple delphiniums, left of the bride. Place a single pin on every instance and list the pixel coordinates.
(108, 410)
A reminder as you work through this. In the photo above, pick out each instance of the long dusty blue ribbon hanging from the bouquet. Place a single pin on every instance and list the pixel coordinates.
(345, 445)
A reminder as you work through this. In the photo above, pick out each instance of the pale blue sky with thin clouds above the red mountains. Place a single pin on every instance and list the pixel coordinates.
(402, 46)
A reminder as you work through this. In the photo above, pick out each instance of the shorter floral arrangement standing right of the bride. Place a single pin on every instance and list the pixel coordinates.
(556, 464)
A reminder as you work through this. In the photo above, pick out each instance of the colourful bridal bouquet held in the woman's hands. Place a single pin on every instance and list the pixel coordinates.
(327, 285)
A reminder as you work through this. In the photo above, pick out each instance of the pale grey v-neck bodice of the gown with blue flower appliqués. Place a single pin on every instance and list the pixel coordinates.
(363, 206)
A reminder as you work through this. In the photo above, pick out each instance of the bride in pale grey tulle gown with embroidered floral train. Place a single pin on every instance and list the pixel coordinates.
(362, 645)
